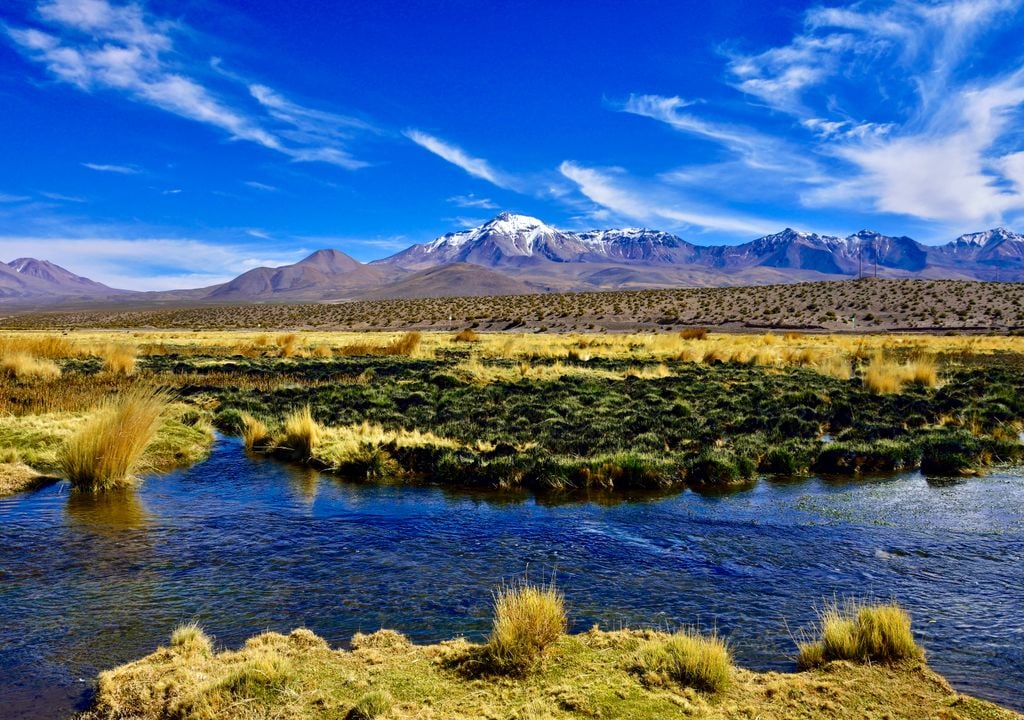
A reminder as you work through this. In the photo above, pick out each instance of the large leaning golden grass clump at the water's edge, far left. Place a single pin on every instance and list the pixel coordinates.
(107, 450)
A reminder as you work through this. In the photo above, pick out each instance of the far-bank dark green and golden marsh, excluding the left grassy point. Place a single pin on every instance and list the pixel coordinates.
(556, 412)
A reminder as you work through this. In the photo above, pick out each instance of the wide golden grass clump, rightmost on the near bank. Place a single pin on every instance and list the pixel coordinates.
(877, 633)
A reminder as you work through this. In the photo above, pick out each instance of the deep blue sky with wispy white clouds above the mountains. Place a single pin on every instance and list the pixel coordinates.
(165, 145)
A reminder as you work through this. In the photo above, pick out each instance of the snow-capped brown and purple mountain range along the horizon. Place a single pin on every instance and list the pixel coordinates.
(517, 255)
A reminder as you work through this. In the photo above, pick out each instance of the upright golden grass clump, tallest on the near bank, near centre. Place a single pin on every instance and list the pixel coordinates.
(528, 620)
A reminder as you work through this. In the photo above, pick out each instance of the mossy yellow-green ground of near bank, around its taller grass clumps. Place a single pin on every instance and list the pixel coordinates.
(591, 675)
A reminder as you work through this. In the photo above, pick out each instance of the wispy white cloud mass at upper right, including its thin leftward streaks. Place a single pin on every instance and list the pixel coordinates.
(891, 109)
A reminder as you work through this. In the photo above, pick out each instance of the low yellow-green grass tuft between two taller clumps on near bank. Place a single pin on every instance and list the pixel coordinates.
(693, 660)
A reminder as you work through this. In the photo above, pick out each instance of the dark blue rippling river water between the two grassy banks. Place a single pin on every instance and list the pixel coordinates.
(246, 544)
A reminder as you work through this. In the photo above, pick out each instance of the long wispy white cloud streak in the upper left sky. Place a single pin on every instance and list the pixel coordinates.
(96, 46)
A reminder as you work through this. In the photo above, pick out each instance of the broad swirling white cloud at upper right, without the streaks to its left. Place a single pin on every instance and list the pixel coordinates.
(897, 103)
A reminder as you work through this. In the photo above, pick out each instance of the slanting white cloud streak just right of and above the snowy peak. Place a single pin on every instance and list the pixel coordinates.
(610, 190)
